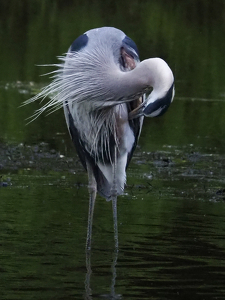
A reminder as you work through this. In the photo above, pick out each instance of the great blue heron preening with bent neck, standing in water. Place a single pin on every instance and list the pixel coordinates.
(101, 85)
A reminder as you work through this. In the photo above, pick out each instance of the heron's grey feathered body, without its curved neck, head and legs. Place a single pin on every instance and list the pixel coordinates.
(100, 128)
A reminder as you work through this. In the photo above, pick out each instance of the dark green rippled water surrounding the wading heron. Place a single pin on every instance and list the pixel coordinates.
(171, 217)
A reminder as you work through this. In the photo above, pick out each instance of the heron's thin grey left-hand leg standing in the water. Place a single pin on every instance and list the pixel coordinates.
(92, 187)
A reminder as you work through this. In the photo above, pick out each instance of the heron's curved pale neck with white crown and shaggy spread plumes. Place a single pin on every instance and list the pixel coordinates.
(95, 78)
